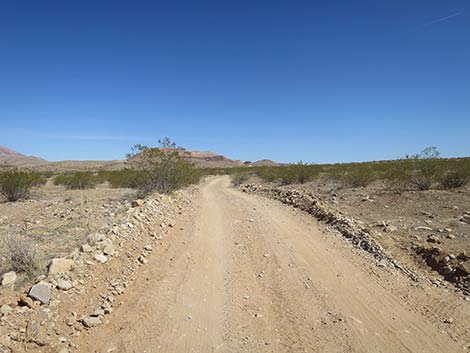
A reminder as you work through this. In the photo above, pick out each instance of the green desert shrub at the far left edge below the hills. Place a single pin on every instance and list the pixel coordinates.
(16, 184)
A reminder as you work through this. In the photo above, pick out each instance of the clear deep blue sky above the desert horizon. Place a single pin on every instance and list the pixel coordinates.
(318, 81)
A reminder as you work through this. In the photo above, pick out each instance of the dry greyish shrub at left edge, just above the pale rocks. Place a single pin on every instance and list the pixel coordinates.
(20, 256)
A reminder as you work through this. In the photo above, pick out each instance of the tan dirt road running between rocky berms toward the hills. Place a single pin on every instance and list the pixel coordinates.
(241, 273)
